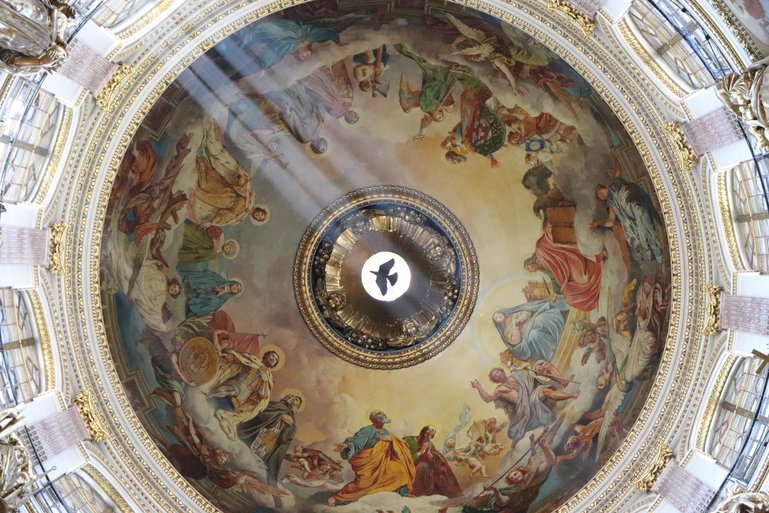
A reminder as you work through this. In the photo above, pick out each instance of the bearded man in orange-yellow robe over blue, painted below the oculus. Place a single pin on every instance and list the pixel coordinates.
(381, 461)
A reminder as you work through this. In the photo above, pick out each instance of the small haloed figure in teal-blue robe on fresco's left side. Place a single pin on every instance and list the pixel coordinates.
(207, 291)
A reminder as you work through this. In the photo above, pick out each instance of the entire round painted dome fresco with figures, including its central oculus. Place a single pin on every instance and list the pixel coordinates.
(403, 259)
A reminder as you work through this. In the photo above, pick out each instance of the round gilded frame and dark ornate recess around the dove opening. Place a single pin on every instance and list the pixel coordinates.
(330, 275)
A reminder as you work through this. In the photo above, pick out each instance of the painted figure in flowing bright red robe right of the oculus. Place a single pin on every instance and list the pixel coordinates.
(578, 276)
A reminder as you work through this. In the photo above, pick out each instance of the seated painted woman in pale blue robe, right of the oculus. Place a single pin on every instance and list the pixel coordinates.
(532, 330)
